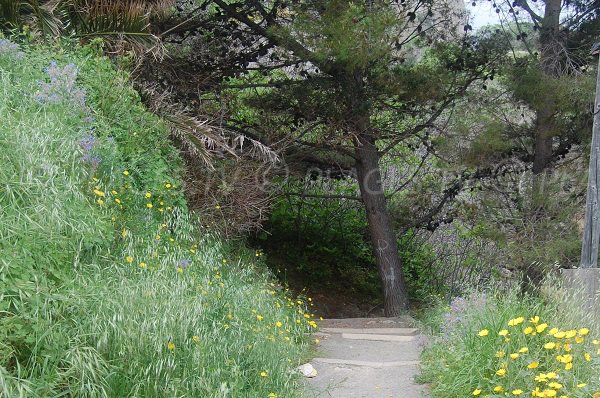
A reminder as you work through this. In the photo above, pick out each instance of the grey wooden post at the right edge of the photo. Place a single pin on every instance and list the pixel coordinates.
(591, 233)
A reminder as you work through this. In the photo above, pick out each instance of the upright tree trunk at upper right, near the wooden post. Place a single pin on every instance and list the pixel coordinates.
(550, 58)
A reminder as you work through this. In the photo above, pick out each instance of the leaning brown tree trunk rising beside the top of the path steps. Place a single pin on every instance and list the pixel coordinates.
(383, 238)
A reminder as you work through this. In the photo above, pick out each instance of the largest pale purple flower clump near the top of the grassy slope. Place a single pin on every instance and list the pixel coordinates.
(61, 87)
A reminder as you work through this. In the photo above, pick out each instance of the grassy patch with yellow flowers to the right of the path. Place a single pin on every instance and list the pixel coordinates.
(476, 337)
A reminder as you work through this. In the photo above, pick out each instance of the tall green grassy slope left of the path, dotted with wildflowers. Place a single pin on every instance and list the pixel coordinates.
(107, 287)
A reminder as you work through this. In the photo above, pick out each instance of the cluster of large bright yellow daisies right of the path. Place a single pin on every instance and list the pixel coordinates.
(536, 359)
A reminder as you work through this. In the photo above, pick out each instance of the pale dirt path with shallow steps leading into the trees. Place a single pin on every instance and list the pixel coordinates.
(367, 358)
